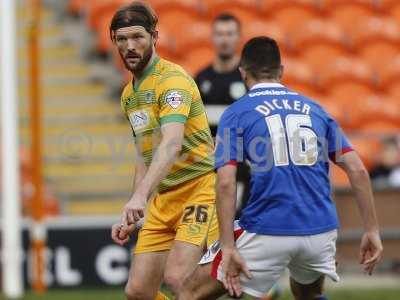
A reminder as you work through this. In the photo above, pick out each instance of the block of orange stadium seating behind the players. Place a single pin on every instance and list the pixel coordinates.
(344, 54)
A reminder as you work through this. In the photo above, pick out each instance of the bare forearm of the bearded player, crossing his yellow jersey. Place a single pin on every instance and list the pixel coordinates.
(163, 160)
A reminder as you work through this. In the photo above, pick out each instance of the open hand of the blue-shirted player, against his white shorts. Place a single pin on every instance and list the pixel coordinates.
(232, 265)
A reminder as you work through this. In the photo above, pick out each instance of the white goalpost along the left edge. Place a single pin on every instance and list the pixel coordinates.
(11, 252)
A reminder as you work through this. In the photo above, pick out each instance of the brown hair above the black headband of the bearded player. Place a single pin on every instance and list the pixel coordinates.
(136, 13)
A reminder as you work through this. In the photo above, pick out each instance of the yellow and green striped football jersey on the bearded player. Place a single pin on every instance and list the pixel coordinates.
(164, 94)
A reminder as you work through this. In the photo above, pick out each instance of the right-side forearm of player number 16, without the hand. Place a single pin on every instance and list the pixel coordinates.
(361, 185)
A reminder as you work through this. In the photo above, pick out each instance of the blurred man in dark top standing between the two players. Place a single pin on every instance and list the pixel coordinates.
(220, 83)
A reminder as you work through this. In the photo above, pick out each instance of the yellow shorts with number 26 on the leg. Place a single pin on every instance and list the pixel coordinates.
(185, 213)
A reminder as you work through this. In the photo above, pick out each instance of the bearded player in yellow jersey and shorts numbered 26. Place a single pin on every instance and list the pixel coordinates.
(174, 173)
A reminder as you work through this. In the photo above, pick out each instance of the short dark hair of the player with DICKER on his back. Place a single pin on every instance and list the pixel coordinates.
(261, 58)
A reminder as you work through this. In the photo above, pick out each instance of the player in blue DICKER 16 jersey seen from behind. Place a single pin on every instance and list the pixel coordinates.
(290, 220)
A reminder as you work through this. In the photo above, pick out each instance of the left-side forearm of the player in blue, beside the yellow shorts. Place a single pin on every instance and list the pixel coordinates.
(226, 208)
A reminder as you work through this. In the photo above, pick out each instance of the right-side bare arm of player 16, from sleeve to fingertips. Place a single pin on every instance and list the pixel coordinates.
(371, 246)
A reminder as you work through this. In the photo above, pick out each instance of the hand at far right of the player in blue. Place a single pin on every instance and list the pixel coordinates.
(371, 250)
